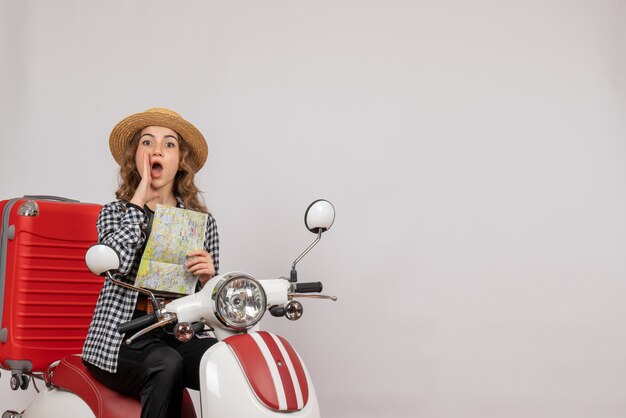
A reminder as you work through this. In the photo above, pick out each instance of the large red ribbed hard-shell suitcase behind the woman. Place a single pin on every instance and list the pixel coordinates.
(47, 294)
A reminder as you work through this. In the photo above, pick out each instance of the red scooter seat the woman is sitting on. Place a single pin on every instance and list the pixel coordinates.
(70, 374)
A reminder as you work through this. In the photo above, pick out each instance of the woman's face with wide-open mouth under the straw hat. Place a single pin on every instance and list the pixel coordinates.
(159, 145)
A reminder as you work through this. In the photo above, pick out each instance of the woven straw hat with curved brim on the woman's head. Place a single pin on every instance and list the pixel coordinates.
(123, 133)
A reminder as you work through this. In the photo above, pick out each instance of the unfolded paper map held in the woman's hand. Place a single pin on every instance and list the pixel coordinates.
(175, 232)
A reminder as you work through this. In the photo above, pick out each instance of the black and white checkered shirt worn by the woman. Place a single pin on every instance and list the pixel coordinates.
(121, 226)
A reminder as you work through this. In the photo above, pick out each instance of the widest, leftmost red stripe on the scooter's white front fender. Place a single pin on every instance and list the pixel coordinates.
(255, 368)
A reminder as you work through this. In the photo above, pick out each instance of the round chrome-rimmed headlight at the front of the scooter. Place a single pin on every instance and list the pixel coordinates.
(239, 301)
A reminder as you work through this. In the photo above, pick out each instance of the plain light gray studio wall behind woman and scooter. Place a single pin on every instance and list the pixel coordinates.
(475, 152)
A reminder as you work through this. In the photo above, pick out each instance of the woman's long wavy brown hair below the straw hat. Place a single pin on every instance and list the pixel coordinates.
(185, 188)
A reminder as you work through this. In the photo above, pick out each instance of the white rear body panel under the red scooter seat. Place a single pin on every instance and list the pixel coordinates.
(56, 403)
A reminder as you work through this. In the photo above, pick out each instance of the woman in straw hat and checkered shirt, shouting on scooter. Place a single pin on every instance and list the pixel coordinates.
(159, 153)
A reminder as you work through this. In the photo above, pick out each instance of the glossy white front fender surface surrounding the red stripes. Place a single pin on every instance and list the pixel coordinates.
(225, 391)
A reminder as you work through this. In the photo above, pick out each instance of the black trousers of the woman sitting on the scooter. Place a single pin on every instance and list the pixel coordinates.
(156, 369)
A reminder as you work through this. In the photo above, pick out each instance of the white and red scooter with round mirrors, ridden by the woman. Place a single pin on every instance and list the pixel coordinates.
(248, 373)
